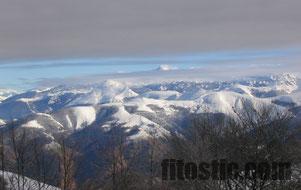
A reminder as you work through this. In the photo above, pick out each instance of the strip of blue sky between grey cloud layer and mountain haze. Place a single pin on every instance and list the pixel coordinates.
(26, 74)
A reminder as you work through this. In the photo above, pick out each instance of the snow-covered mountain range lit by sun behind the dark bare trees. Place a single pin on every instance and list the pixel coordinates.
(143, 108)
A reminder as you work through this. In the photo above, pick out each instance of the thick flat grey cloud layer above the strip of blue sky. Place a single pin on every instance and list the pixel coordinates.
(83, 28)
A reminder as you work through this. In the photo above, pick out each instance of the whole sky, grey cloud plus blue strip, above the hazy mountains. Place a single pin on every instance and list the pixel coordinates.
(68, 38)
